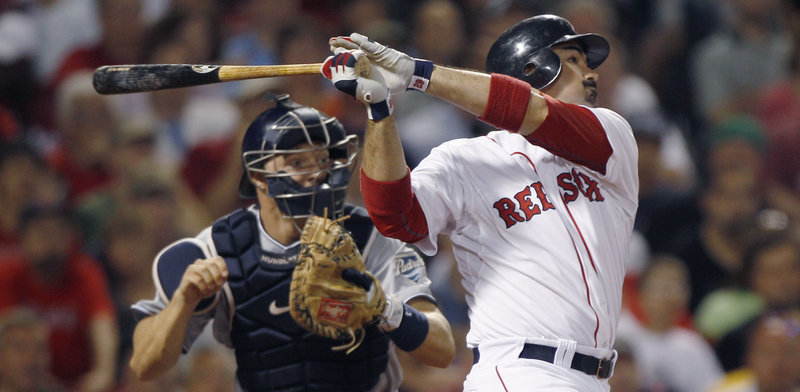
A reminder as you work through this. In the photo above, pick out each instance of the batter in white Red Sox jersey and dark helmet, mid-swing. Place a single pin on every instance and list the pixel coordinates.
(539, 212)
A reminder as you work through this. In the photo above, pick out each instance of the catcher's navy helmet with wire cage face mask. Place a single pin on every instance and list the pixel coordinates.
(283, 129)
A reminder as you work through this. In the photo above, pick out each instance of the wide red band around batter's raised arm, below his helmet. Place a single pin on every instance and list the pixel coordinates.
(508, 102)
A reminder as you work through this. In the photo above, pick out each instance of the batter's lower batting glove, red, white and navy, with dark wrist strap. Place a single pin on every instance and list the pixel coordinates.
(372, 90)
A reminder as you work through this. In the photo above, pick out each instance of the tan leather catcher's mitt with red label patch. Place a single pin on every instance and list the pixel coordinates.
(320, 299)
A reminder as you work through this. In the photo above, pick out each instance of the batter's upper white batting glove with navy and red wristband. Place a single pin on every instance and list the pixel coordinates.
(401, 71)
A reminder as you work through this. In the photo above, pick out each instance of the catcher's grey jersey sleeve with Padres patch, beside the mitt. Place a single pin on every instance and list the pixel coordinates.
(398, 266)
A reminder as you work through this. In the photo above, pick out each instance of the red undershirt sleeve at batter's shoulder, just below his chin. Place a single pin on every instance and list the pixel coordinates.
(574, 133)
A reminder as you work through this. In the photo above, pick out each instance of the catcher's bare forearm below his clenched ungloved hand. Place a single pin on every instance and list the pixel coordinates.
(158, 339)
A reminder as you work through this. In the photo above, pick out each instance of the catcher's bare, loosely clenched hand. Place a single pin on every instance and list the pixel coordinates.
(203, 279)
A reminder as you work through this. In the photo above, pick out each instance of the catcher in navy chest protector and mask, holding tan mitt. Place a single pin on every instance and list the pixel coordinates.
(315, 306)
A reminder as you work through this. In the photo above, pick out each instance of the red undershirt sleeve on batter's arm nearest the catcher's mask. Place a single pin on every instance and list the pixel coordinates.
(394, 208)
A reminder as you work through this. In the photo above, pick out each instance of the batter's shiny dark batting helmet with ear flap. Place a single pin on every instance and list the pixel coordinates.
(528, 43)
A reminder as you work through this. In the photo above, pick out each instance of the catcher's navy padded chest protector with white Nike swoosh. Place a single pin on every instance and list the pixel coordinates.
(273, 352)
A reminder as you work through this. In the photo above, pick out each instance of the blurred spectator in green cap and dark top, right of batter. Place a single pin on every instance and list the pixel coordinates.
(732, 205)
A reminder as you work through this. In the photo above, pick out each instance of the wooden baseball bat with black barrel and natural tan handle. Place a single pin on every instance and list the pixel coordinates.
(122, 79)
